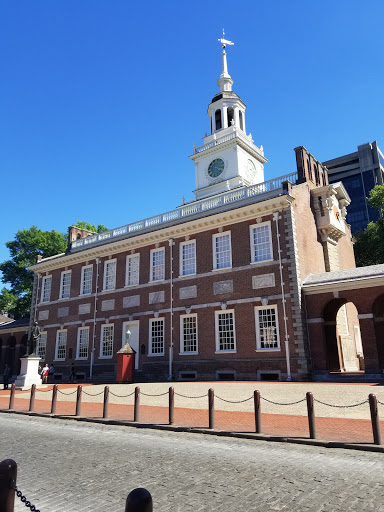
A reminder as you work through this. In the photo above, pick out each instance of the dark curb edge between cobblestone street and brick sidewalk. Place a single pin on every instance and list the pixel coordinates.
(195, 430)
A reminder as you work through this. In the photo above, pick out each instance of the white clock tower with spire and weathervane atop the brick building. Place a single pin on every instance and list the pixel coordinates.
(228, 159)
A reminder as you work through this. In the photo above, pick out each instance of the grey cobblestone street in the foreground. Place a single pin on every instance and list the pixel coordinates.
(70, 466)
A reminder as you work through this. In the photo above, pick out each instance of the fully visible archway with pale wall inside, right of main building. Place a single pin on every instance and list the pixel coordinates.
(342, 336)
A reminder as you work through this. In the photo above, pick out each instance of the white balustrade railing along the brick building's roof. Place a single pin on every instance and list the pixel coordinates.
(233, 196)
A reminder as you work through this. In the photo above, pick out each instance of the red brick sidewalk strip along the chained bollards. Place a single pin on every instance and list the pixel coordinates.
(329, 429)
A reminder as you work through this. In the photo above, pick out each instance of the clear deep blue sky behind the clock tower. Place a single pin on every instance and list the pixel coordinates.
(101, 101)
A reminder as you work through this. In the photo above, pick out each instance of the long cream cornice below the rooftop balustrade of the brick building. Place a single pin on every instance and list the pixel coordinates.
(174, 231)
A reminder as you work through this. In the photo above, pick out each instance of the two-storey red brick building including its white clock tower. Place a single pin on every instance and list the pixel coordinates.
(212, 289)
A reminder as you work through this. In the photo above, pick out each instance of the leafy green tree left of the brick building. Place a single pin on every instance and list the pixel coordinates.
(24, 249)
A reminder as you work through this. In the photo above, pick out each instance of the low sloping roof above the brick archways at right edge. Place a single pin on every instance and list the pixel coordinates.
(338, 276)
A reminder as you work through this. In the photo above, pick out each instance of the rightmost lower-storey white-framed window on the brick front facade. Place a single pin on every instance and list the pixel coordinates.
(267, 328)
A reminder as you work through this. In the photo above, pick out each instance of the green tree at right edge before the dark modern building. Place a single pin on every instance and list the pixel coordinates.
(369, 244)
